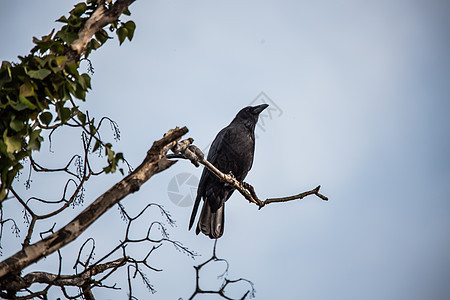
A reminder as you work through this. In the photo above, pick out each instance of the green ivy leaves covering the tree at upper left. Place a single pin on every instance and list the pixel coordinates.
(39, 92)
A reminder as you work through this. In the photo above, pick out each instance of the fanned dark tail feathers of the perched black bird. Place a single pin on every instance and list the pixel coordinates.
(211, 223)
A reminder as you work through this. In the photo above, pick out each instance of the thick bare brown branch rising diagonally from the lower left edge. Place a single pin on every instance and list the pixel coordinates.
(154, 162)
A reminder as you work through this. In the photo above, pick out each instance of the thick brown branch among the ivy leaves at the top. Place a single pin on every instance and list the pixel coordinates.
(99, 19)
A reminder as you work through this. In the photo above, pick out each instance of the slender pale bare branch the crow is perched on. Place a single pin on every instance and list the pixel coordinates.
(185, 150)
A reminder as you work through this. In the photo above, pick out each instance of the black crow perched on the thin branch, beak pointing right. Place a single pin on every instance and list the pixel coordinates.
(231, 151)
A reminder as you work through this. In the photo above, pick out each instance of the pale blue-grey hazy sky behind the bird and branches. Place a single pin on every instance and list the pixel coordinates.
(360, 91)
